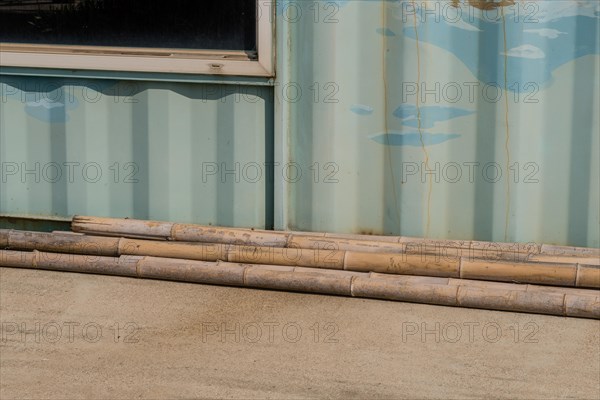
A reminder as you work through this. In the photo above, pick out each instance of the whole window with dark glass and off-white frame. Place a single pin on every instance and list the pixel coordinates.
(232, 37)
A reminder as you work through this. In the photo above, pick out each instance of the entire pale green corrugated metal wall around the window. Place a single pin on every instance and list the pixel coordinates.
(434, 118)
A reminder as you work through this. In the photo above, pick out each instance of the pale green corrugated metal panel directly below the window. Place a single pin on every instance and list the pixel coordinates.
(159, 150)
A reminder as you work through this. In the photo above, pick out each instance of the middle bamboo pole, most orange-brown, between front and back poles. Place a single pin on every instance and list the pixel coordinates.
(559, 274)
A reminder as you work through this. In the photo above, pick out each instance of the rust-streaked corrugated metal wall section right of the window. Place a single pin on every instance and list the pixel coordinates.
(441, 118)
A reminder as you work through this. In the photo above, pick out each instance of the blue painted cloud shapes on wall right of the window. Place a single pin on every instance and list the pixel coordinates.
(512, 45)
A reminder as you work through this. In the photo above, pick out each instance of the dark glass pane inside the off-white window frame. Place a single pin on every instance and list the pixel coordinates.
(182, 24)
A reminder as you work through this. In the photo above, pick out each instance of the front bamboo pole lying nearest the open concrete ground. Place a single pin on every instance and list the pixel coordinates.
(440, 291)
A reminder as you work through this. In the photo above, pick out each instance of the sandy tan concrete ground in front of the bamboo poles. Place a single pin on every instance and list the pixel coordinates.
(70, 336)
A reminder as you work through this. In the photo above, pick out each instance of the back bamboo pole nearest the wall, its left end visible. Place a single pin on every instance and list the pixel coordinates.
(364, 243)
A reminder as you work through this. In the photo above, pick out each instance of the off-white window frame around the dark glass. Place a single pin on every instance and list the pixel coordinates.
(212, 62)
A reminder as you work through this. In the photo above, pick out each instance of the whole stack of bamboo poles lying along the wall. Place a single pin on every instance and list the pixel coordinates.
(531, 278)
